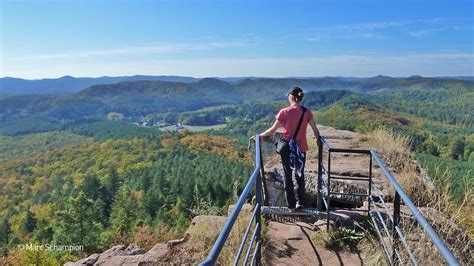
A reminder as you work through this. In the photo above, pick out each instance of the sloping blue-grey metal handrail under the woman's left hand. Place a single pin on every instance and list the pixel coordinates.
(255, 220)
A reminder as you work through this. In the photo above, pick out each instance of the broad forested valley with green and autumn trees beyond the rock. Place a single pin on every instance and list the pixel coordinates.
(75, 169)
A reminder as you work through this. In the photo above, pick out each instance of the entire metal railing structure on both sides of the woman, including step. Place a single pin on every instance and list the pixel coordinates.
(385, 220)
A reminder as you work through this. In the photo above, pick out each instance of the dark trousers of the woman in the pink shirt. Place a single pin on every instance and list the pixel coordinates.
(291, 198)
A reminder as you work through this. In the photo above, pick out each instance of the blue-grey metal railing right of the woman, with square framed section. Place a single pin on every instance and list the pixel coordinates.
(385, 222)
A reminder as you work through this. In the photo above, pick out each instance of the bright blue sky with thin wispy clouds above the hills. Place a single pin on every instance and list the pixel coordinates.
(41, 39)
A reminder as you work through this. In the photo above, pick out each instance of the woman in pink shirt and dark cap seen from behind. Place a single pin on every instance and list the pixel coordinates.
(293, 145)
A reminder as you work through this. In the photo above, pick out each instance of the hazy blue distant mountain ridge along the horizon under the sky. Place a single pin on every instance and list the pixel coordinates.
(68, 85)
